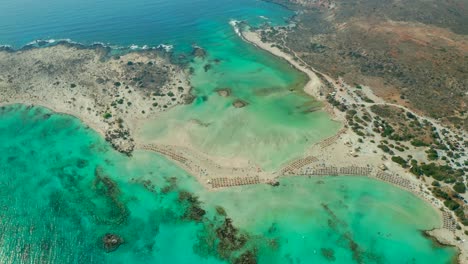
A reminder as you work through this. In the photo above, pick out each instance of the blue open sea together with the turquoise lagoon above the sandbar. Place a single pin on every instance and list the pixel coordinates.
(274, 128)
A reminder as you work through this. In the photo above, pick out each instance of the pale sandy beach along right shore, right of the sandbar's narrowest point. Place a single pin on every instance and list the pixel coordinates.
(344, 153)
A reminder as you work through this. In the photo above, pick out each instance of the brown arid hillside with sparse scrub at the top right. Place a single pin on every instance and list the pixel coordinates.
(414, 53)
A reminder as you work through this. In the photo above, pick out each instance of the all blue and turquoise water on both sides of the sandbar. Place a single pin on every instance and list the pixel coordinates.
(64, 188)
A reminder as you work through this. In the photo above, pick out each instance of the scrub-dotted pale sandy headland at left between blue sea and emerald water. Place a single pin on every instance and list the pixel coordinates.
(111, 94)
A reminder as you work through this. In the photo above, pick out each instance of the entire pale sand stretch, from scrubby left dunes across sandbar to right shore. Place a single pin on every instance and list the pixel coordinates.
(107, 95)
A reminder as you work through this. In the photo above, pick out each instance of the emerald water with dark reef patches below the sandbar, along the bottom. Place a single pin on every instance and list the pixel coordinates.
(56, 208)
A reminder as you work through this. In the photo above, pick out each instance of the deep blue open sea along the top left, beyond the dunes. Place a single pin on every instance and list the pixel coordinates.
(122, 22)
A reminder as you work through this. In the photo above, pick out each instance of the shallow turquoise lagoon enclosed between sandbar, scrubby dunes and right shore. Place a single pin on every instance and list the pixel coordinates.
(272, 129)
